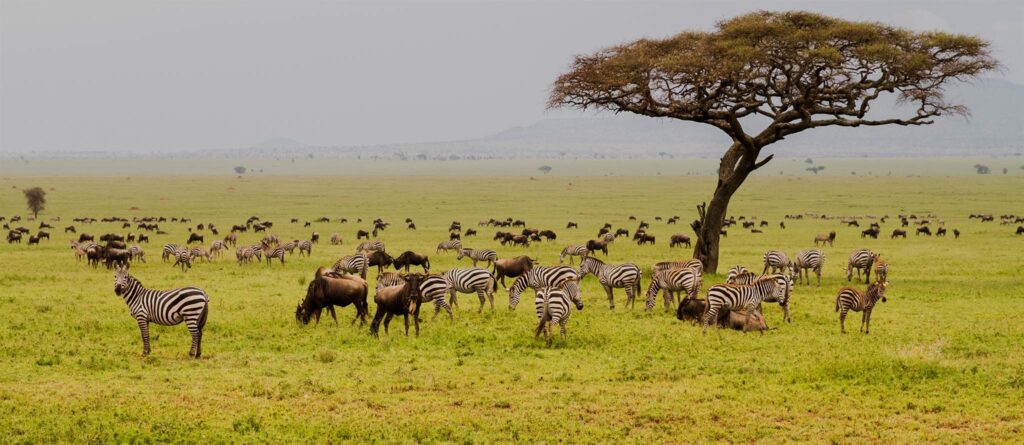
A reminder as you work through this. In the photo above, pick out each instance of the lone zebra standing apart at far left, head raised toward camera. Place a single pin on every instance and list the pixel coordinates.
(191, 305)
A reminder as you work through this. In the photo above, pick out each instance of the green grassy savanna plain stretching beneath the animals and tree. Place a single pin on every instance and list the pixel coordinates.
(943, 364)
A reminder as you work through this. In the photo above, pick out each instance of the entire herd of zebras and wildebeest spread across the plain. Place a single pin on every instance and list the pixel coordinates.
(736, 304)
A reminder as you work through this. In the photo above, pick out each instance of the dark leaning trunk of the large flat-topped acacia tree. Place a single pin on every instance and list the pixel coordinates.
(733, 171)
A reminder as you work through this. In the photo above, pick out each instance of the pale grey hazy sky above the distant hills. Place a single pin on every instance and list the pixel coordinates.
(137, 76)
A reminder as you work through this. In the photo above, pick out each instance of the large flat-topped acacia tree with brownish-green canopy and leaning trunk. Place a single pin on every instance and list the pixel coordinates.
(765, 76)
